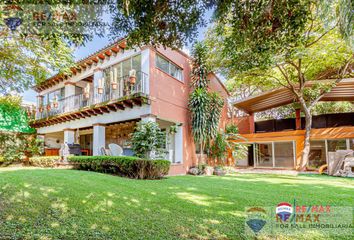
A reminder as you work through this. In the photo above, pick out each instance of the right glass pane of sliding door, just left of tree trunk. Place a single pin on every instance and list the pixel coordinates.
(284, 154)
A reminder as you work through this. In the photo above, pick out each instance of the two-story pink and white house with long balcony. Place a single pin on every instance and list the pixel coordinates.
(109, 91)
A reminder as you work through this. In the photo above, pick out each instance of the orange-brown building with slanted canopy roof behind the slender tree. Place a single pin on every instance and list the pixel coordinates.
(278, 143)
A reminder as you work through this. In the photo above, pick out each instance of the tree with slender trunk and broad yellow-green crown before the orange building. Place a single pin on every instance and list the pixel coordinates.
(271, 56)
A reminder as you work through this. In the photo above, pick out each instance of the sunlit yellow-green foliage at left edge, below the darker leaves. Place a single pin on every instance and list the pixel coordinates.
(26, 61)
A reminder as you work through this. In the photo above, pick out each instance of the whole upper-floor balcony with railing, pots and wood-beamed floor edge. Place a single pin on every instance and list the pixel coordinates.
(125, 93)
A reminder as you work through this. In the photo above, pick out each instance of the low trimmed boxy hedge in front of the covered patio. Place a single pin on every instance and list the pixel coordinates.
(127, 166)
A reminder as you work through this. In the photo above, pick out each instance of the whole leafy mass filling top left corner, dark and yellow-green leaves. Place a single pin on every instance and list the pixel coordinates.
(36, 39)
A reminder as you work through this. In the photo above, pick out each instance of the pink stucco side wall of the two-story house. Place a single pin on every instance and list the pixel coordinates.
(169, 101)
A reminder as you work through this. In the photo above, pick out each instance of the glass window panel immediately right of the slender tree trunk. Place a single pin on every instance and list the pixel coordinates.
(317, 155)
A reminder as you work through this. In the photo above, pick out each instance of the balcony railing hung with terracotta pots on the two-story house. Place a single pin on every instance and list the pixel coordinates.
(76, 102)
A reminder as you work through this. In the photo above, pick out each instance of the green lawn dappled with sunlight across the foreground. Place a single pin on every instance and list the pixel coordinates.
(68, 204)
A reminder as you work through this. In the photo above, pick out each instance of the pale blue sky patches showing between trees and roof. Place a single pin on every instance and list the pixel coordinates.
(98, 43)
